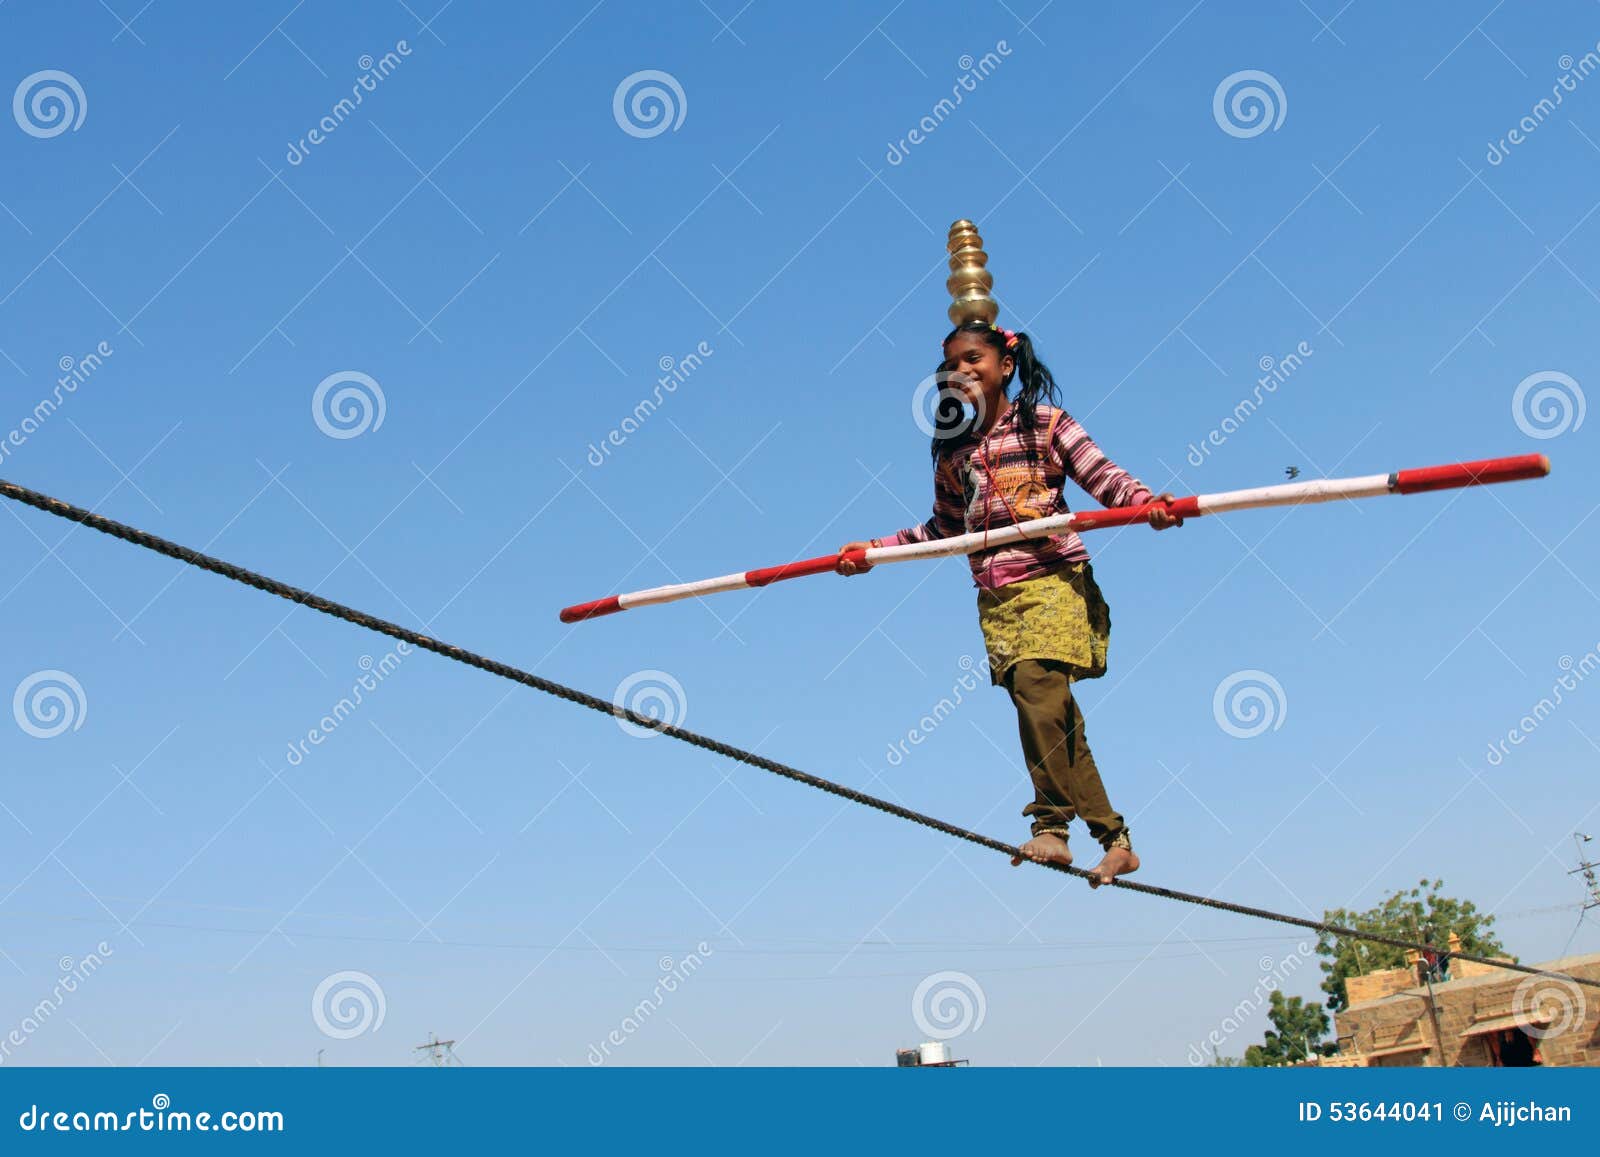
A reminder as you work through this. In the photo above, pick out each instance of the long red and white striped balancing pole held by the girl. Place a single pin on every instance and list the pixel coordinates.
(1294, 494)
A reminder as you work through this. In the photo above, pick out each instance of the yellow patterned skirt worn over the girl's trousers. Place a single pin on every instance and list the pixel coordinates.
(1060, 615)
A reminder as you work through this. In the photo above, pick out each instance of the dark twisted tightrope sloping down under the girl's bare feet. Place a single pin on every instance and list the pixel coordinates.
(738, 755)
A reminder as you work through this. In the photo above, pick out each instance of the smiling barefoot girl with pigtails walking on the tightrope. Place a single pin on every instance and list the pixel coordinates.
(1044, 620)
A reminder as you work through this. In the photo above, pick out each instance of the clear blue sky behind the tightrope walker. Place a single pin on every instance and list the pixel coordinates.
(510, 265)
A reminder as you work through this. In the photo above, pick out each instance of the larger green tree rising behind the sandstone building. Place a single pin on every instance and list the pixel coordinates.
(1418, 915)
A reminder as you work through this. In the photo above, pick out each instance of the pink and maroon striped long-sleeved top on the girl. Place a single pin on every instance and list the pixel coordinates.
(1012, 476)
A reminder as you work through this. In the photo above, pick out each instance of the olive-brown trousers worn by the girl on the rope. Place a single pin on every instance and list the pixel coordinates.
(1066, 782)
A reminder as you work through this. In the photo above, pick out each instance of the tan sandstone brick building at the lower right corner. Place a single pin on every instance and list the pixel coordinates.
(1478, 1017)
